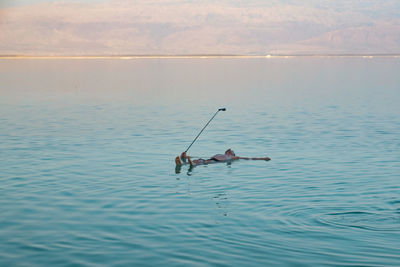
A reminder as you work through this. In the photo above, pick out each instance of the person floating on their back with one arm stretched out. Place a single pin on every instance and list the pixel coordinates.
(228, 156)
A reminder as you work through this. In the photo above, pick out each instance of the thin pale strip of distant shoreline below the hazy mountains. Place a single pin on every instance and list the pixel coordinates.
(192, 56)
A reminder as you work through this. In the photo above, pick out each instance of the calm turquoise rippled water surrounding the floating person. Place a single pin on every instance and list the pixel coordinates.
(87, 175)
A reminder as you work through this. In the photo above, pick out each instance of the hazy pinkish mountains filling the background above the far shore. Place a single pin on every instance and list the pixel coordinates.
(89, 27)
